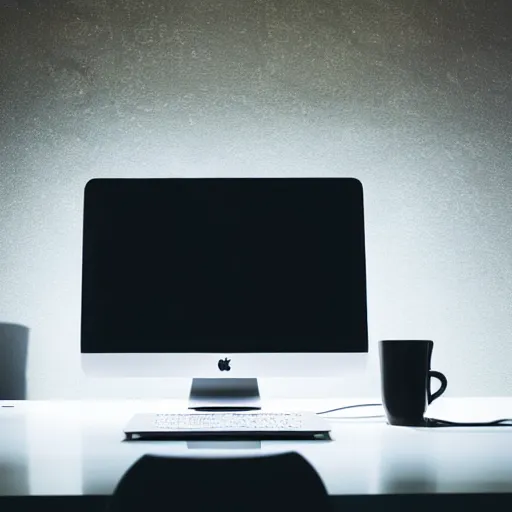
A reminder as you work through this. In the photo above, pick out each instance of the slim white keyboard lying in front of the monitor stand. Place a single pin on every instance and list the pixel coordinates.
(226, 424)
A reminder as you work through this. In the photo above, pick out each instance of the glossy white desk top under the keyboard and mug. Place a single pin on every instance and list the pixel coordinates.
(77, 448)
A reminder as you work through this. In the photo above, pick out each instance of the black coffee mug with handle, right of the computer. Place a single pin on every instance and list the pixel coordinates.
(406, 380)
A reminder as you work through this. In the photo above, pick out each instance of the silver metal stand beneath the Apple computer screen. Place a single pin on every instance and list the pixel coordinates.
(224, 395)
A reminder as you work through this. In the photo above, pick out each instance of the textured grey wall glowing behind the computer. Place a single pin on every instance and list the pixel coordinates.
(410, 96)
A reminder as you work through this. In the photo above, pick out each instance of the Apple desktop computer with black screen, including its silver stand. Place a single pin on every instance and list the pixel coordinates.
(224, 280)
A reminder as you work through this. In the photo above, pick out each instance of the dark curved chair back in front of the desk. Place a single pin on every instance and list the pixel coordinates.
(281, 482)
